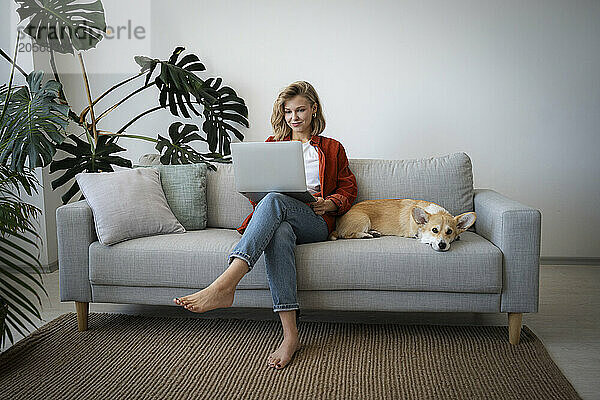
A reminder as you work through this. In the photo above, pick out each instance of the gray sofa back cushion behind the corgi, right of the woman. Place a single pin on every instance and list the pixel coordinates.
(447, 180)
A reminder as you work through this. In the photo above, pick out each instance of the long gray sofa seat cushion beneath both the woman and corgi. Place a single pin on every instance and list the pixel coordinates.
(194, 259)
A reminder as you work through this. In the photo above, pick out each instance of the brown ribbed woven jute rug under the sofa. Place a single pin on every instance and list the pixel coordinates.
(134, 357)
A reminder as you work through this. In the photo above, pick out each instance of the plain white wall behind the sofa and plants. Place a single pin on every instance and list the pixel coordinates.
(514, 84)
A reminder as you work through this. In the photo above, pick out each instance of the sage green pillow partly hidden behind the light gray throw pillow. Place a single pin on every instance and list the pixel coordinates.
(185, 189)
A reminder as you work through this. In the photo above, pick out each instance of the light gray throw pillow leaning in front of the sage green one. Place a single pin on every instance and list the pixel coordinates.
(127, 204)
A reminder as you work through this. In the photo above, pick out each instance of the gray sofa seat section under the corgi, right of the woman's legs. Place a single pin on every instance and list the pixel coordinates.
(472, 265)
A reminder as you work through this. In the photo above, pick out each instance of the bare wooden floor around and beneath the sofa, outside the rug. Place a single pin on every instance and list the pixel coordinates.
(568, 321)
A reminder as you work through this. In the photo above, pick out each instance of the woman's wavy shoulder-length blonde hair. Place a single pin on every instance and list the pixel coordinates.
(299, 88)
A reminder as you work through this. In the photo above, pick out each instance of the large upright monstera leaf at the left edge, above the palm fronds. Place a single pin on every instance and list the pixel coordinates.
(34, 123)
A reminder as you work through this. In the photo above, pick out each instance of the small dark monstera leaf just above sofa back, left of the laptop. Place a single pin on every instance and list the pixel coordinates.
(178, 150)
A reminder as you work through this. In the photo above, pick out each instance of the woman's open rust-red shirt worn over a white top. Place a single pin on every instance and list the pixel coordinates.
(338, 183)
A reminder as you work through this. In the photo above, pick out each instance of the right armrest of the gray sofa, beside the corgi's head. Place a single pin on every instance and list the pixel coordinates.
(515, 229)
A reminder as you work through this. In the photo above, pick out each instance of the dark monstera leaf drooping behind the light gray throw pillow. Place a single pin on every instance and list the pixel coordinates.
(86, 158)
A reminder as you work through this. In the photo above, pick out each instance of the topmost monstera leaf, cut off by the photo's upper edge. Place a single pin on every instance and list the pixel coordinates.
(63, 25)
